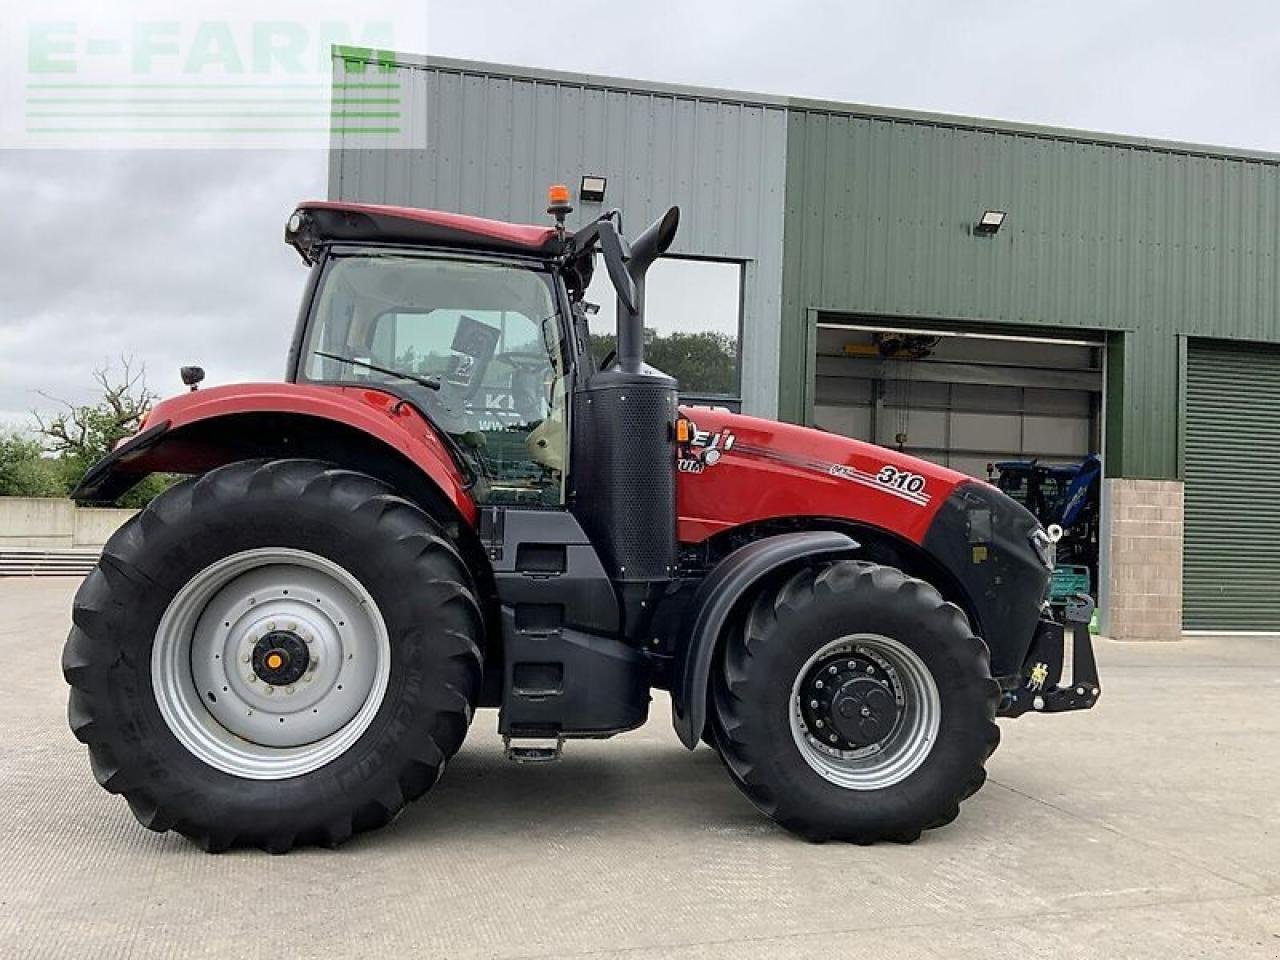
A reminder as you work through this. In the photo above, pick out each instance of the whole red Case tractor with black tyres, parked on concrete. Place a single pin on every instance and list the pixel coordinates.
(450, 504)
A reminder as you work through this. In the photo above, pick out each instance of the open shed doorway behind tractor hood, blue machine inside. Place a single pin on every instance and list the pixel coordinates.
(1020, 412)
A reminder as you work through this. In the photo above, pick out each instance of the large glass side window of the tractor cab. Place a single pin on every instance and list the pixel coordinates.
(476, 344)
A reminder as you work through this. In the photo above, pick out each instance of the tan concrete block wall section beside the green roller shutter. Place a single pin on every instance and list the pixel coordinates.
(1145, 577)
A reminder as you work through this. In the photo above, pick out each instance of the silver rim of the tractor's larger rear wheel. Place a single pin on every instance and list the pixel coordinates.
(271, 664)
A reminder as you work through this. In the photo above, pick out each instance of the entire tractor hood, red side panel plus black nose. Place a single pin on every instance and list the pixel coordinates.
(737, 470)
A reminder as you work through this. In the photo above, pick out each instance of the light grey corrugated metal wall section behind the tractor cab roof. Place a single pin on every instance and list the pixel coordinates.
(496, 139)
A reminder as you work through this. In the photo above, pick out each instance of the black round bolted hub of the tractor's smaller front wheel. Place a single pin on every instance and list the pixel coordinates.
(849, 702)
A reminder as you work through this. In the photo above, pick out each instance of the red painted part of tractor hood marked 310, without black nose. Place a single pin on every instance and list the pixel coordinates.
(737, 469)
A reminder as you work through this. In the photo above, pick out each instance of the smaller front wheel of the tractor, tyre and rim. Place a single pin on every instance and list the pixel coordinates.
(856, 705)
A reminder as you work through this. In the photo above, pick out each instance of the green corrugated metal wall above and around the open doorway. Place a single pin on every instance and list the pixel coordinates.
(1146, 243)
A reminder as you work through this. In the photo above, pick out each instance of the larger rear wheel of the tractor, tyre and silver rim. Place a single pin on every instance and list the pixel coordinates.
(275, 653)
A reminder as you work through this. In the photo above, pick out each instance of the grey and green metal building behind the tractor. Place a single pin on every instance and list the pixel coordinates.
(1128, 304)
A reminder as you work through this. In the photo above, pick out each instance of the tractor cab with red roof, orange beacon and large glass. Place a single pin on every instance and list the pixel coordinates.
(477, 323)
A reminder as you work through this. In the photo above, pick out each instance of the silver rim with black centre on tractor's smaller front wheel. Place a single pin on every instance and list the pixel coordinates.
(865, 712)
